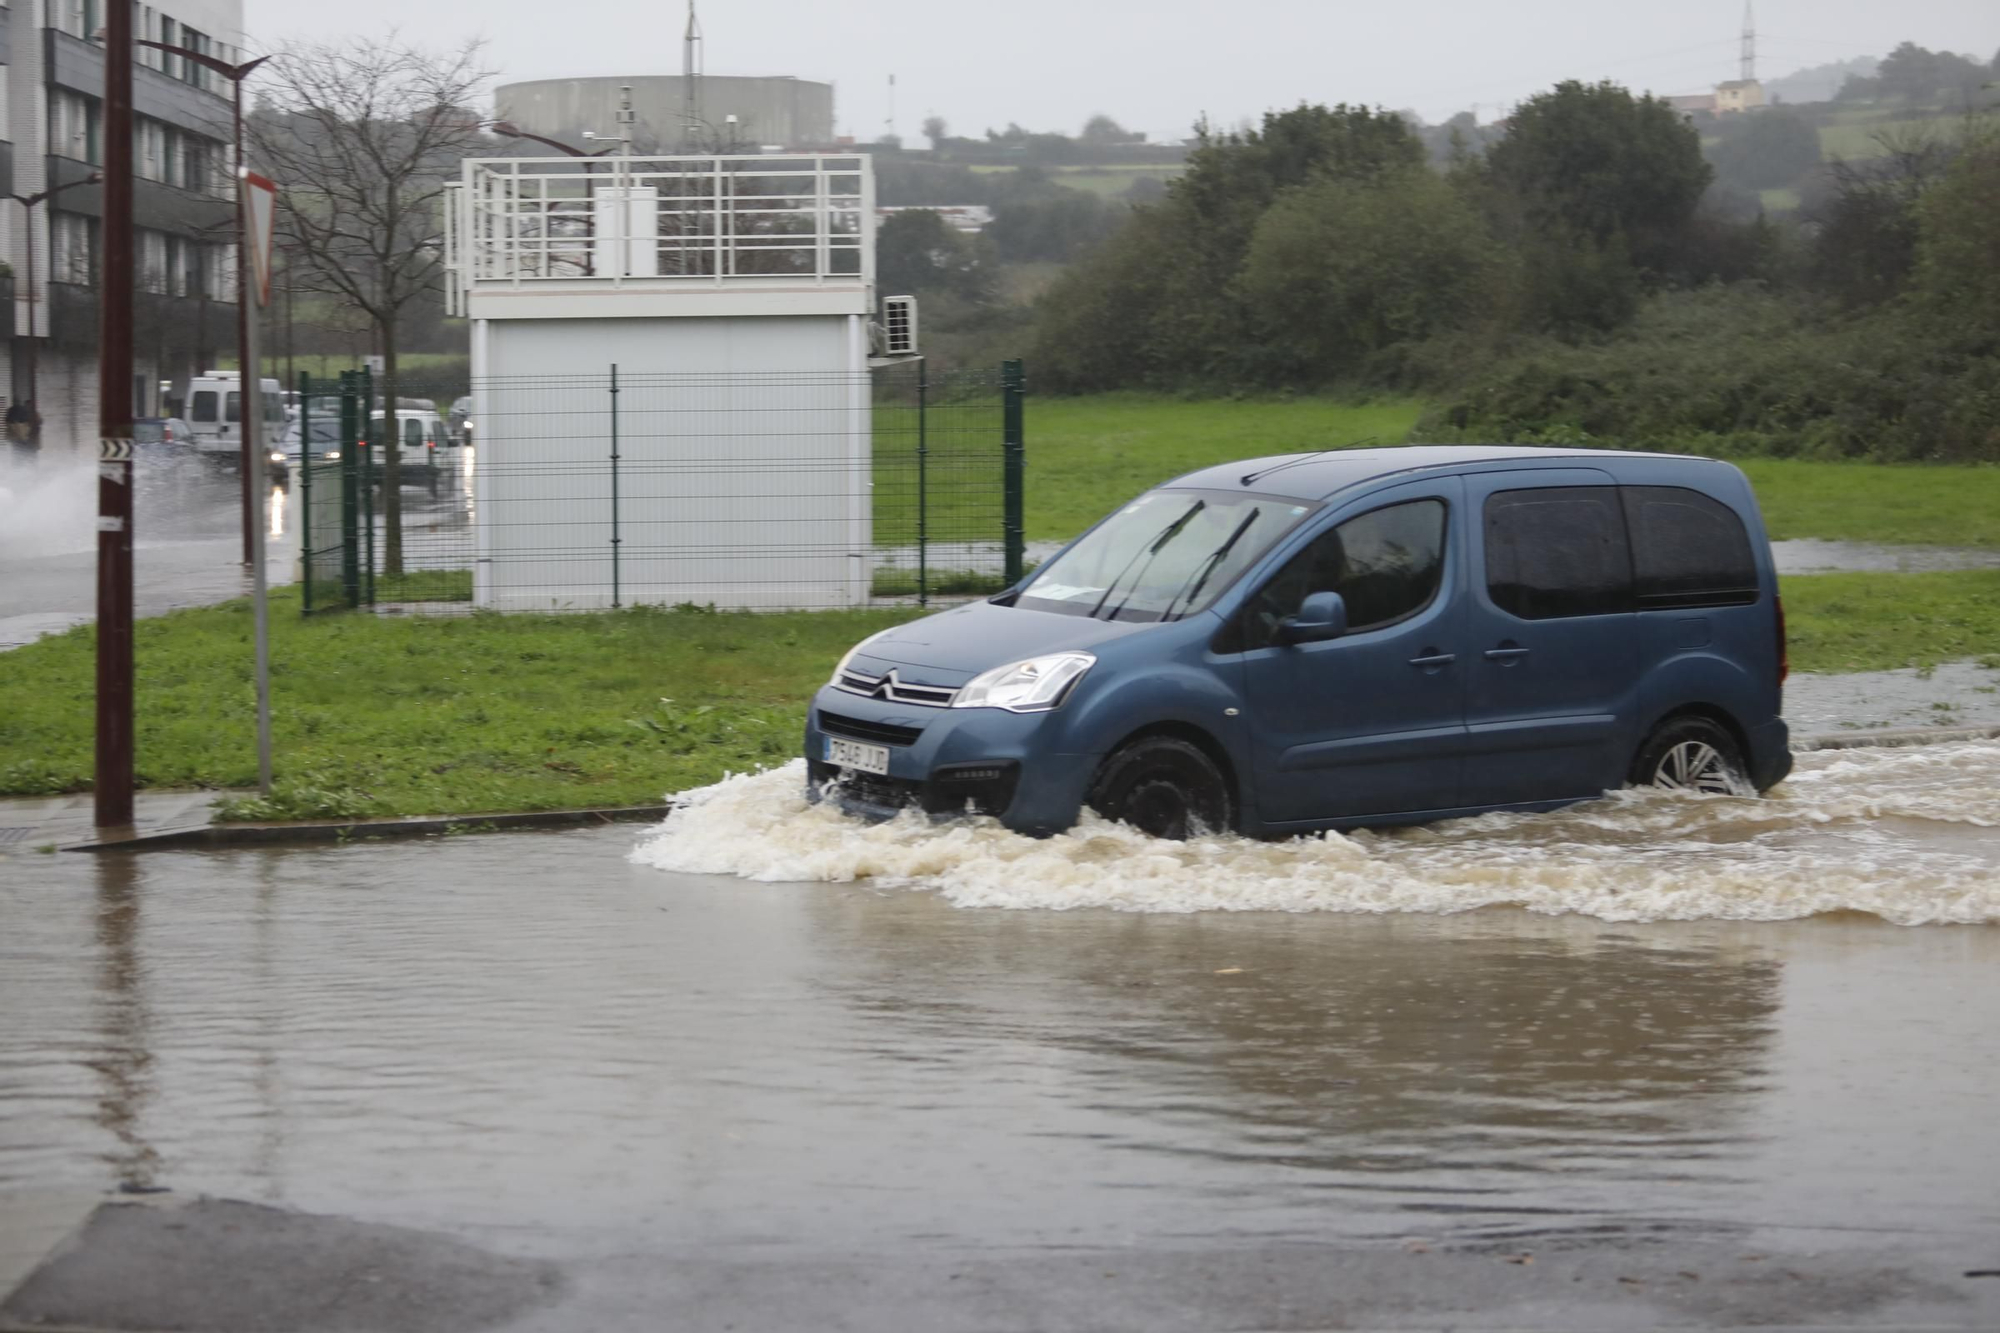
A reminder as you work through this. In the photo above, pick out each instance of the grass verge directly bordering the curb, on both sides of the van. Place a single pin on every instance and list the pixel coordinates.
(491, 714)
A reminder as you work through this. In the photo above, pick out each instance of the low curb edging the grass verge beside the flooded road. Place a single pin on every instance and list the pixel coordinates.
(431, 826)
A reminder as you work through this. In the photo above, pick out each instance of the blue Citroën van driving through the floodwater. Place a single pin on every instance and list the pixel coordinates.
(1341, 639)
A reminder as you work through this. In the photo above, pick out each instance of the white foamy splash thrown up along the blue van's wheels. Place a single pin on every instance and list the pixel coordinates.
(1899, 834)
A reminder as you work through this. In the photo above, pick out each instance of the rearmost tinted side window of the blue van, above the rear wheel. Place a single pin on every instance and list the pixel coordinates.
(1687, 549)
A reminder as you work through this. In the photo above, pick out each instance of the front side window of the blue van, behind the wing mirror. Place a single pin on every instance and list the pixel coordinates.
(1385, 563)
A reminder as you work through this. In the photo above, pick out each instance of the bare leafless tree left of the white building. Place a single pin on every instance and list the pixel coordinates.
(363, 137)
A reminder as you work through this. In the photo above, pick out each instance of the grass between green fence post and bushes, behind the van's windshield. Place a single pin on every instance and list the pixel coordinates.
(1091, 455)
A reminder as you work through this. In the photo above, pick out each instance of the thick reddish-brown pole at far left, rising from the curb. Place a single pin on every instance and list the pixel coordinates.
(113, 782)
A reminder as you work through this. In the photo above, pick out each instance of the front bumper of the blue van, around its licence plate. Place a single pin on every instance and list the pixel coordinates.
(947, 764)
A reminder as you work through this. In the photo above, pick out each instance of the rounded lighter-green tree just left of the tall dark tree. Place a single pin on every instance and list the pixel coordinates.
(1343, 269)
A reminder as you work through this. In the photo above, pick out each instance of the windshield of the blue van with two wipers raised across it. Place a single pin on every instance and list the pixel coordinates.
(1165, 555)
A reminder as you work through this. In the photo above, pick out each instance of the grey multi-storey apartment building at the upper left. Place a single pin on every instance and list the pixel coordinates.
(53, 139)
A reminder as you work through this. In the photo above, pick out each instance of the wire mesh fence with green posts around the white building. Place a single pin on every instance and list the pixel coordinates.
(745, 491)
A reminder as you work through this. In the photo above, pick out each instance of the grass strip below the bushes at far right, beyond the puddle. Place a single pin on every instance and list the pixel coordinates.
(1903, 503)
